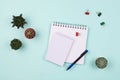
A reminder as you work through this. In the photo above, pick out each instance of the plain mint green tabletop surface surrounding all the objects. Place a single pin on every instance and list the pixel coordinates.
(28, 63)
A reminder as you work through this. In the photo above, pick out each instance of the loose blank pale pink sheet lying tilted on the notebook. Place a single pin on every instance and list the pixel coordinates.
(58, 48)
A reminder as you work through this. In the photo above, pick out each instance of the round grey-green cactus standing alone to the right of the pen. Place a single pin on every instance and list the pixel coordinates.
(101, 62)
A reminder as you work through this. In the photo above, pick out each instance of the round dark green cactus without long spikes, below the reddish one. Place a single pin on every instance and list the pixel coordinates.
(15, 44)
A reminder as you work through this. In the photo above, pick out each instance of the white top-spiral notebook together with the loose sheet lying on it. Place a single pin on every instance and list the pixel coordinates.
(66, 43)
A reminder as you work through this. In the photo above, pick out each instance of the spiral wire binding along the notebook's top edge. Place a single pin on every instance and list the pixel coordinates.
(67, 25)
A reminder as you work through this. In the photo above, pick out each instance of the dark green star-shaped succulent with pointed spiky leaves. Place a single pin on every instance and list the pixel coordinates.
(18, 21)
